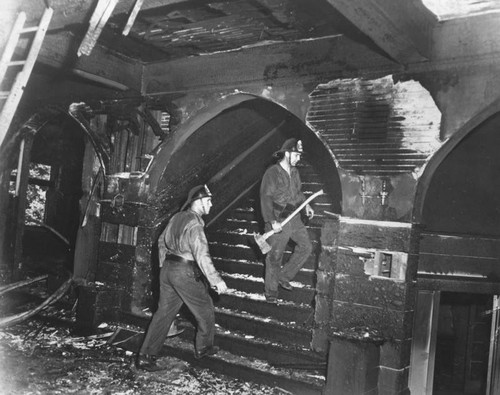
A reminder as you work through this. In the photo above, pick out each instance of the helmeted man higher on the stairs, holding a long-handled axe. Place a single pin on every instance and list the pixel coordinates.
(280, 194)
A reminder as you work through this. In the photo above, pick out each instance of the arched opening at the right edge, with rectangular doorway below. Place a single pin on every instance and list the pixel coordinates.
(458, 271)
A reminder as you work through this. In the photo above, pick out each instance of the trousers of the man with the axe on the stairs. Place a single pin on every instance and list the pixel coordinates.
(275, 272)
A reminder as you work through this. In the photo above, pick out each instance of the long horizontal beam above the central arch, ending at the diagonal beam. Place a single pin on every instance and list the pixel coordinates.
(308, 61)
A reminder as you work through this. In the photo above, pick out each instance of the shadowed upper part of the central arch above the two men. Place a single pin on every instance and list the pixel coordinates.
(229, 146)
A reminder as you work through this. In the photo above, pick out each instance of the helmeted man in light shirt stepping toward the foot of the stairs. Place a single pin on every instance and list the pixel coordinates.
(186, 267)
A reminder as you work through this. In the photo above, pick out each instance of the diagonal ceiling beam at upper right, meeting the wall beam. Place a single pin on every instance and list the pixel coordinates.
(392, 28)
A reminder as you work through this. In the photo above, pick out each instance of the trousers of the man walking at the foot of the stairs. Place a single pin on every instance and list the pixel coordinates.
(178, 285)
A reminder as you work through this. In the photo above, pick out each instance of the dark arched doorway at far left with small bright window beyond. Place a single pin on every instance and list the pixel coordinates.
(41, 188)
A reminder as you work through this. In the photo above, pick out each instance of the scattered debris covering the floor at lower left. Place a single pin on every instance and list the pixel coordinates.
(37, 357)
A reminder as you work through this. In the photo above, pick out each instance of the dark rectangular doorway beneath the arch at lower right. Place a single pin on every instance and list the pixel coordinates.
(462, 344)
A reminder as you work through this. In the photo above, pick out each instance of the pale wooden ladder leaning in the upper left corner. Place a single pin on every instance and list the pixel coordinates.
(12, 96)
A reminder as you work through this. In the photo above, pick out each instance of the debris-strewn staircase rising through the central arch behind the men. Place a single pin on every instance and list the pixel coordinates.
(260, 341)
